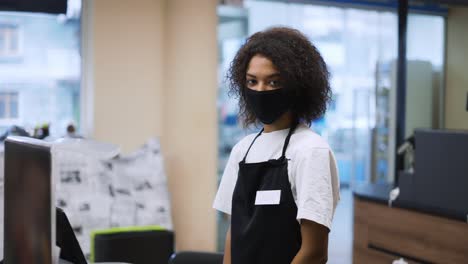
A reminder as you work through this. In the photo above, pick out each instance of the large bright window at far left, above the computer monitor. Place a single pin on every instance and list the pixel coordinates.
(48, 74)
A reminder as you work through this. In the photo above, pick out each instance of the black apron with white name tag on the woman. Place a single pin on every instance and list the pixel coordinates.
(264, 234)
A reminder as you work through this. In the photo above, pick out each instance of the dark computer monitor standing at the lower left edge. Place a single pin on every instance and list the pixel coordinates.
(29, 214)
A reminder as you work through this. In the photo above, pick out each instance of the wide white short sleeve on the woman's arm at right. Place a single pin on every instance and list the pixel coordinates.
(317, 185)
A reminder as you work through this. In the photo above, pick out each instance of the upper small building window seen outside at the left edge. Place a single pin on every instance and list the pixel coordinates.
(9, 40)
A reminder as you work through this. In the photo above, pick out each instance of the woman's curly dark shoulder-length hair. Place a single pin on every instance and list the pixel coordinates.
(301, 67)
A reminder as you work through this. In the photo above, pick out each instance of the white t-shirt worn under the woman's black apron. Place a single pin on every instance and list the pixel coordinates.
(312, 170)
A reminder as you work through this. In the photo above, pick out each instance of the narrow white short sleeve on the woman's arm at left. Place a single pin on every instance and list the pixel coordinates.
(223, 199)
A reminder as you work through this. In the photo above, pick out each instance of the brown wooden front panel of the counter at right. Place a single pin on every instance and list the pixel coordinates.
(408, 233)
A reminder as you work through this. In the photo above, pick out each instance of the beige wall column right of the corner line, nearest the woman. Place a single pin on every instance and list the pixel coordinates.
(190, 125)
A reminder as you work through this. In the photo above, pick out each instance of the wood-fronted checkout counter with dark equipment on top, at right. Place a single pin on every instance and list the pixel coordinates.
(428, 221)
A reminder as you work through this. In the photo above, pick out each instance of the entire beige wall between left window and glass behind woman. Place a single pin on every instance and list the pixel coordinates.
(155, 70)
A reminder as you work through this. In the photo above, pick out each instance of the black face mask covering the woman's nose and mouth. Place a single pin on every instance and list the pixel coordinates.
(268, 106)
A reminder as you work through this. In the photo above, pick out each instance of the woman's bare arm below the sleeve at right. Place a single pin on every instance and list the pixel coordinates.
(314, 248)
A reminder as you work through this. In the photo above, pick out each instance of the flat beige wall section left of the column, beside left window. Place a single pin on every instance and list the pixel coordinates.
(128, 71)
